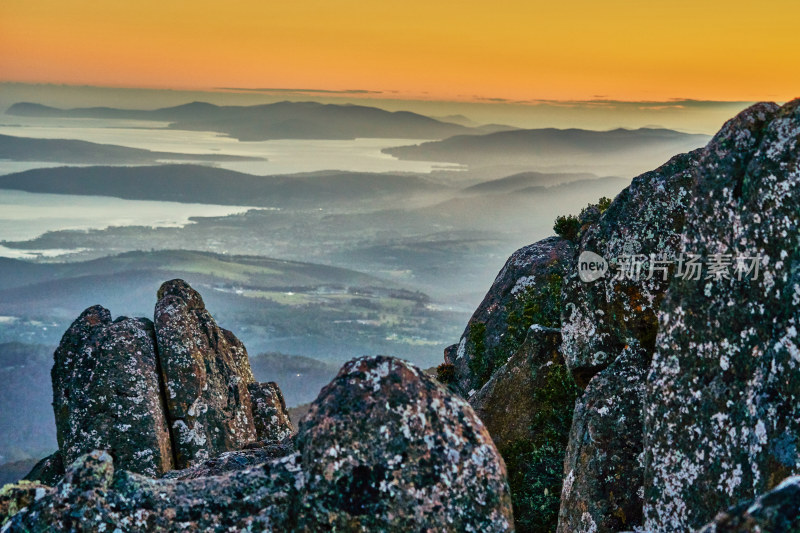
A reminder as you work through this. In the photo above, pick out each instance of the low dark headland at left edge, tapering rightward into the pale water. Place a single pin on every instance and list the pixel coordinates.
(72, 151)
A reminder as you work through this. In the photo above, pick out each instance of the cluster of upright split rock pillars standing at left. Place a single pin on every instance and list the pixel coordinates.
(119, 386)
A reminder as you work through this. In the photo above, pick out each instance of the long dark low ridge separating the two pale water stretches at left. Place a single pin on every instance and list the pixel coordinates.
(204, 184)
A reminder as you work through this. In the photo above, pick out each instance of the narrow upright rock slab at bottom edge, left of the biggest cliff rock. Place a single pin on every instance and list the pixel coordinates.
(603, 474)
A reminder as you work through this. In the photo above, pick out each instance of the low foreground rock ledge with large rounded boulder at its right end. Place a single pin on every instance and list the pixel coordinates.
(384, 447)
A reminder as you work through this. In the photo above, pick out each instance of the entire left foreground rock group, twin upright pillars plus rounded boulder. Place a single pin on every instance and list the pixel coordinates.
(384, 446)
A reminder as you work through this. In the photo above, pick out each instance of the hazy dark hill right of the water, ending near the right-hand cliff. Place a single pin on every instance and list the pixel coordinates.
(631, 151)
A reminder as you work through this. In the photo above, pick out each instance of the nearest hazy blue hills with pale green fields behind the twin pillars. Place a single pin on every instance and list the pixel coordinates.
(273, 305)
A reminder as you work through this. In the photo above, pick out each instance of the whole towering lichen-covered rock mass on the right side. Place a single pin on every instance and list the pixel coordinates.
(686, 348)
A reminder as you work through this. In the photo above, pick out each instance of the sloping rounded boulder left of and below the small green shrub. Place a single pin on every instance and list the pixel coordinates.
(525, 292)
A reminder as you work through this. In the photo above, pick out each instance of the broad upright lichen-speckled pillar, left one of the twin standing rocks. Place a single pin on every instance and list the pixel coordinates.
(106, 393)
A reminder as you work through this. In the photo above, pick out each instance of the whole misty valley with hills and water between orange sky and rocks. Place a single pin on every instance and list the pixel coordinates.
(317, 233)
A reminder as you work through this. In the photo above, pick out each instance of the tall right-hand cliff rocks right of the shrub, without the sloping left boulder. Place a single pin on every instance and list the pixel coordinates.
(705, 434)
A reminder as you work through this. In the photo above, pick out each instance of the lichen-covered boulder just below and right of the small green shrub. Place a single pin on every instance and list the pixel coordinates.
(600, 318)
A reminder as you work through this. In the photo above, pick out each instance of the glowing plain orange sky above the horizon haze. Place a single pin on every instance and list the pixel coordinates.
(448, 50)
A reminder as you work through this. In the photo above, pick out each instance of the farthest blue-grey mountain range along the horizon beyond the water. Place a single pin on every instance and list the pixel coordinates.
(282, 120)
